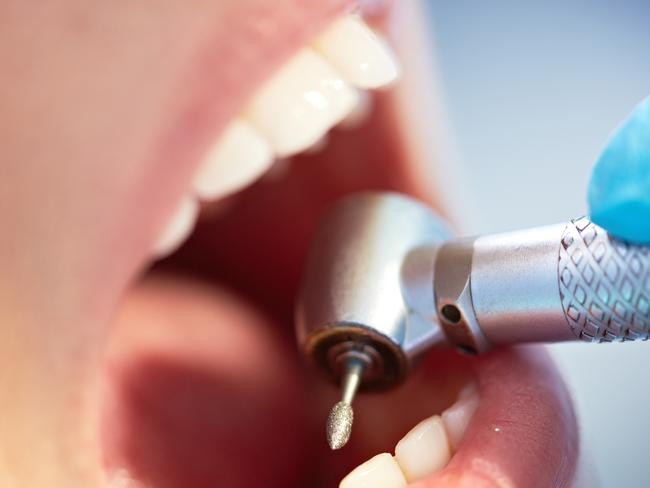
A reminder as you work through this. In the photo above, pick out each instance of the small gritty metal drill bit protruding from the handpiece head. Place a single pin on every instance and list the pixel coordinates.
(339, 421)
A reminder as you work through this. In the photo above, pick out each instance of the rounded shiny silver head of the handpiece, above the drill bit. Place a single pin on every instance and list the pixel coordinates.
(353, 297)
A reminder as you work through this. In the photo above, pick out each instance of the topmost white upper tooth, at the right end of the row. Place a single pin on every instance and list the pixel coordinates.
(363, 58)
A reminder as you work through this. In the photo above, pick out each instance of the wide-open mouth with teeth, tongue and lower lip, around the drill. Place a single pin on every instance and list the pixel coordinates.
(203, 385)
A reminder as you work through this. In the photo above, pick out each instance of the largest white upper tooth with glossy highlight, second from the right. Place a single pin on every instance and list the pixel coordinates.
(300, 103)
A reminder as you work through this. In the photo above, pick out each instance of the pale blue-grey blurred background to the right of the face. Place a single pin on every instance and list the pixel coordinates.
(532, 91)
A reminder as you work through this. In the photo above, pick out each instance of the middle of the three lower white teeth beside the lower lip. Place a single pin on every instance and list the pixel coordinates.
(424, 449)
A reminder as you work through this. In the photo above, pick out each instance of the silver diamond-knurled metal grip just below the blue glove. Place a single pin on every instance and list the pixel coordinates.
(604, 284)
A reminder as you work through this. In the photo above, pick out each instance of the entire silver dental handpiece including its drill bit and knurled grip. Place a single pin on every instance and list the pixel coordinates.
(385, 283)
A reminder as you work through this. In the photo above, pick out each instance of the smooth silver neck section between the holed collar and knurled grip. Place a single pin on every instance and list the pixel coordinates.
(514, 286)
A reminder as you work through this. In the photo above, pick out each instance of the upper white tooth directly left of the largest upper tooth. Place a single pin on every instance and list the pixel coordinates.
(240, 156)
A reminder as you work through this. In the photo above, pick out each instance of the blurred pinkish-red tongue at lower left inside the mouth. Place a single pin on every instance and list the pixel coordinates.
(199, 392)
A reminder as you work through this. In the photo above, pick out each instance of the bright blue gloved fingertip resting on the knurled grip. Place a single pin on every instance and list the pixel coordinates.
(619, 191)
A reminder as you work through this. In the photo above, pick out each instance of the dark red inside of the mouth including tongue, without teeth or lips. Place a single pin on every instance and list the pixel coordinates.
(203, 378)
